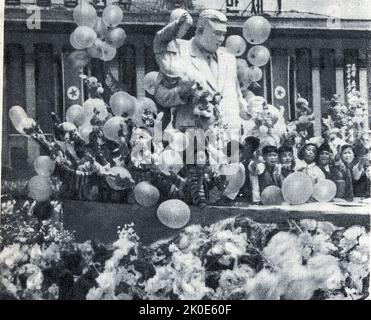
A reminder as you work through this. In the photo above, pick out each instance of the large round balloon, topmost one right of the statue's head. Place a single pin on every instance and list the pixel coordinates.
(256, 29)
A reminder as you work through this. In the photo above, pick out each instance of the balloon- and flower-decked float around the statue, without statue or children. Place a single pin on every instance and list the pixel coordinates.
(115, 213)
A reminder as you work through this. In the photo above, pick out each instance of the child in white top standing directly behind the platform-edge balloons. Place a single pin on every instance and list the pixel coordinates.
(307, 162)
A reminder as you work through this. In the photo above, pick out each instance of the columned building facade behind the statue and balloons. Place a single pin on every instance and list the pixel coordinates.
(310, 54)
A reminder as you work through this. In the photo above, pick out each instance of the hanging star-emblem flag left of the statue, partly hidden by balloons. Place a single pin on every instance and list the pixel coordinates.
(73, 88)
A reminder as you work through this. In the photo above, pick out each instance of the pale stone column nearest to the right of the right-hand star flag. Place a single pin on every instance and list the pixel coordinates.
(316, 91)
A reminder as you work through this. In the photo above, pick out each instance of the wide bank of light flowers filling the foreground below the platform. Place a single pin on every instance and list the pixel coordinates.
(235, 258)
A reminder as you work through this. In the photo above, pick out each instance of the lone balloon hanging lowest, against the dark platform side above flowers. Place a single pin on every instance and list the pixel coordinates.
(174, 213)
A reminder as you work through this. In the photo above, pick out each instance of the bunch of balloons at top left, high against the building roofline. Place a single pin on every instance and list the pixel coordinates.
(95, 37)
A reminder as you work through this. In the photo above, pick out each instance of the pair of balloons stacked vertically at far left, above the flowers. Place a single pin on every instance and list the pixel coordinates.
(40, 187)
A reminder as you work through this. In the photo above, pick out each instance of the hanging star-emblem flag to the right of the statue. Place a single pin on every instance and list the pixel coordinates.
(280, 80)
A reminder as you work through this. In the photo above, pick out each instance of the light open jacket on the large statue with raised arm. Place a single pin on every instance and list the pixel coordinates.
(226, 83)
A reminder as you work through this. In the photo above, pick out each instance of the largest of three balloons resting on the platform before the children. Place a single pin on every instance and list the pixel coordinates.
(297, 188)
